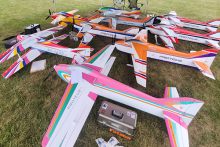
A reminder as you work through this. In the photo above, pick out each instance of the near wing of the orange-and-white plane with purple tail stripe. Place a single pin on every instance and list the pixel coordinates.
(139, 58)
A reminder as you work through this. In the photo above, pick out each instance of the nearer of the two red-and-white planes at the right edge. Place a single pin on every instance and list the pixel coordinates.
(170, 33)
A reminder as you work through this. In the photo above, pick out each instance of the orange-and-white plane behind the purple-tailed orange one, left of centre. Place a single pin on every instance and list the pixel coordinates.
(89, 30)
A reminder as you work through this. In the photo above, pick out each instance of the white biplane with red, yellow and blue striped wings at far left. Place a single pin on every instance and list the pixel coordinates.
(38, 45)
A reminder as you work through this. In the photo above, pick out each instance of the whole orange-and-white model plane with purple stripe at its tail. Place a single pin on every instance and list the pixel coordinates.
(140, 50)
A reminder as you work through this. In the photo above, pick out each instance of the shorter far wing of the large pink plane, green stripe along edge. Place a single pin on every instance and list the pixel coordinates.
(98, 61)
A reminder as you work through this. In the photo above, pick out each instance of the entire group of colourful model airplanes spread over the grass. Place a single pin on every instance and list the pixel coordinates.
(87, 76)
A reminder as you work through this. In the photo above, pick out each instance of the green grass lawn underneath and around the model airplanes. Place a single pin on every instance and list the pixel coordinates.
(28, 104)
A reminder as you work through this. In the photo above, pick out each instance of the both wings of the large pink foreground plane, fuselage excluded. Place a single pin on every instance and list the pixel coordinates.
(75, 105)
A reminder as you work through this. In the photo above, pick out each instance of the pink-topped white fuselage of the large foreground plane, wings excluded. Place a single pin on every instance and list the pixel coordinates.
(114, 90)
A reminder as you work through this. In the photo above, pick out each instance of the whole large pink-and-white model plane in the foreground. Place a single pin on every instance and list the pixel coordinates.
(87, 81)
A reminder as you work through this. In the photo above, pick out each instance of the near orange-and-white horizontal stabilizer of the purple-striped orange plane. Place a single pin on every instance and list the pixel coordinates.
(204, 69)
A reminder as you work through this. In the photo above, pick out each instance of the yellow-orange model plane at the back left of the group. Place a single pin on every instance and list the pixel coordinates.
(65, 18)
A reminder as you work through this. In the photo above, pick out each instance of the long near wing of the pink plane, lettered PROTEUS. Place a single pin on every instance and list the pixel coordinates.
(70, 115)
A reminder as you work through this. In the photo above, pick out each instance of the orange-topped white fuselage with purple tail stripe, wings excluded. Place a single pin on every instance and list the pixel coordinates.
(167, 55)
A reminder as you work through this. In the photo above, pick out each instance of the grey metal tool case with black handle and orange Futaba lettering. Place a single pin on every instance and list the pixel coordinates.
(116, 119)
